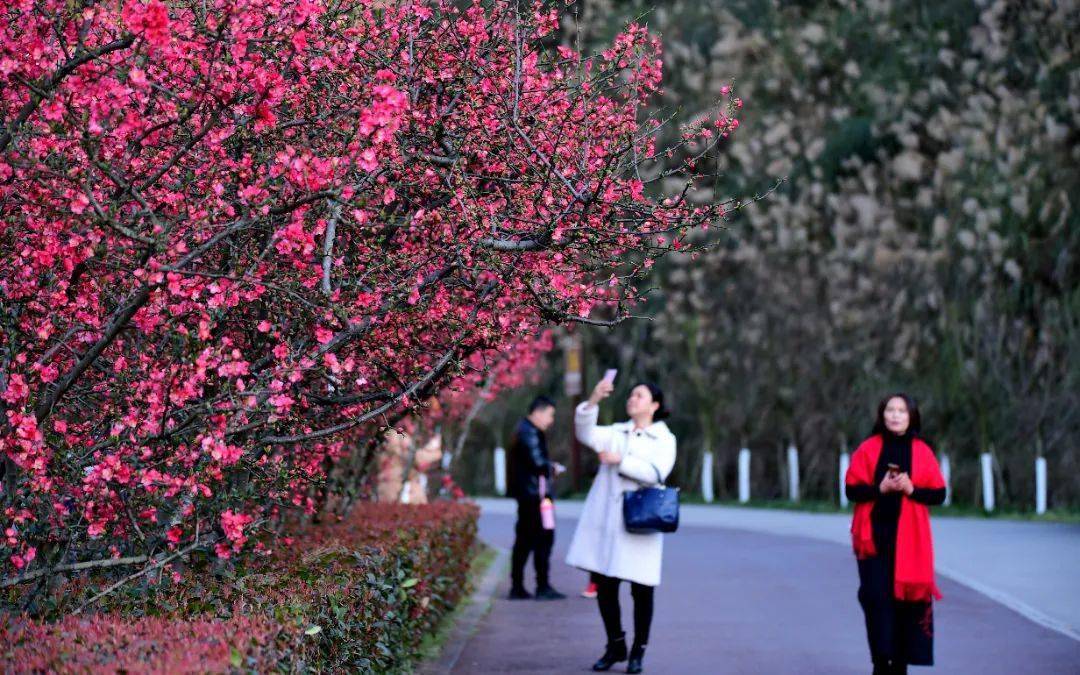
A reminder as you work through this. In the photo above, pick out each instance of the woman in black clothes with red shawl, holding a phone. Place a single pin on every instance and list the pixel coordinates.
(893, 481)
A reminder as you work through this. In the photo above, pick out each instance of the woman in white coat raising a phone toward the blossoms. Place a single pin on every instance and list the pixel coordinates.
(641, 452)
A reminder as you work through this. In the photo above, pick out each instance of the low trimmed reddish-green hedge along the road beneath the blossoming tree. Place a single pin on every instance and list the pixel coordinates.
(358, 596)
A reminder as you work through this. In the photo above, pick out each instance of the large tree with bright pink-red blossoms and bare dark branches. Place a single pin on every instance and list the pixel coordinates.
(239, 237)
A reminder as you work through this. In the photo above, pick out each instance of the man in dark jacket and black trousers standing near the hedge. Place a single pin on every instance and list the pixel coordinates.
(529, 464)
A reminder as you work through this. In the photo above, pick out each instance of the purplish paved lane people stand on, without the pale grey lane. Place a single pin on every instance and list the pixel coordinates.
(735, 601)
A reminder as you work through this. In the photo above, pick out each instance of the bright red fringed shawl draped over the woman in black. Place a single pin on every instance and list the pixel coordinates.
(914, 575)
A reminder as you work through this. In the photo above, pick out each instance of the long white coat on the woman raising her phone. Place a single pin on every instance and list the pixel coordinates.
(602, 544)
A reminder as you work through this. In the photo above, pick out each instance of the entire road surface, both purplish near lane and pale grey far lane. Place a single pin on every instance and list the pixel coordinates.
(767, 592)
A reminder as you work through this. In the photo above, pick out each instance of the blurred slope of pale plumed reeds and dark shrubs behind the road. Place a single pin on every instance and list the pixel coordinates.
(926, 237)
